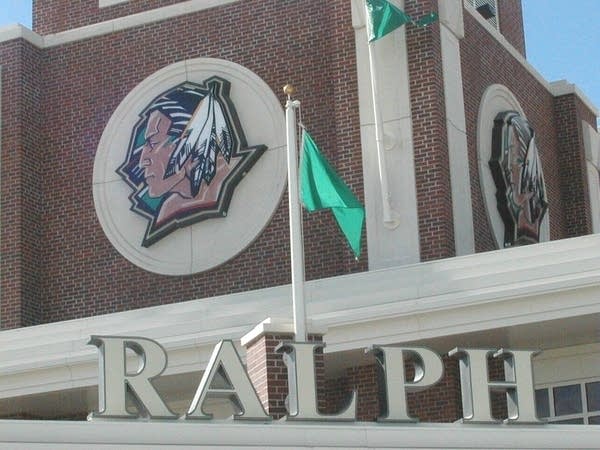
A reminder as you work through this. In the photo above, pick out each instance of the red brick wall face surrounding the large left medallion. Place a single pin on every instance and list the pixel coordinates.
(81, 274)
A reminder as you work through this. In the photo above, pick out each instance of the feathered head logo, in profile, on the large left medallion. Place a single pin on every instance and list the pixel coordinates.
(186, 154)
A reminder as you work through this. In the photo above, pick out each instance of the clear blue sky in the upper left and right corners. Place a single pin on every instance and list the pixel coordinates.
(562, 38)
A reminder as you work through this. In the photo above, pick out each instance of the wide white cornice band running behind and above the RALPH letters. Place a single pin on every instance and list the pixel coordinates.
(523, 286)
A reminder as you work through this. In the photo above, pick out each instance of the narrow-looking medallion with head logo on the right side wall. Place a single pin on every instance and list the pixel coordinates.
(510, 171)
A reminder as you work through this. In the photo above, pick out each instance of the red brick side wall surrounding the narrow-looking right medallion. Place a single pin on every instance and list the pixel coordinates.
(484, 62)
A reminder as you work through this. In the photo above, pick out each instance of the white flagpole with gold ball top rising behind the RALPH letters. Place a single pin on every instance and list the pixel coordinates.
(296, 242)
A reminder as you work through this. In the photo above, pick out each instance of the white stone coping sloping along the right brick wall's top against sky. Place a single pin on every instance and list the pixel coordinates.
(555, 91)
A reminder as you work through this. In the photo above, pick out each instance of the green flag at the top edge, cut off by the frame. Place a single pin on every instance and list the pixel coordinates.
(383, 18)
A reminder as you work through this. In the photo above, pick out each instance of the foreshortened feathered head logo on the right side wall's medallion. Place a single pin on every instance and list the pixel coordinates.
(517, 172)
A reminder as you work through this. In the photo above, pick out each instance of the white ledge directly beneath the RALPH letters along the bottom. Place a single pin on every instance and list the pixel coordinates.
(26, 435)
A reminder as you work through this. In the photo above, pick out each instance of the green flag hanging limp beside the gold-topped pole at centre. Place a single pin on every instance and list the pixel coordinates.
(321, 187)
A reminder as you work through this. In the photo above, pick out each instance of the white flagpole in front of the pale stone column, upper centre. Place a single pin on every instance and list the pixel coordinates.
(388, 217)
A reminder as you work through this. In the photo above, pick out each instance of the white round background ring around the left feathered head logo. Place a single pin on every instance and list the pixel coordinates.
(210, 243)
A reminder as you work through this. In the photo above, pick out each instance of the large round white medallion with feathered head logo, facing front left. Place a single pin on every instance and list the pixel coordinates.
(190, 167)
